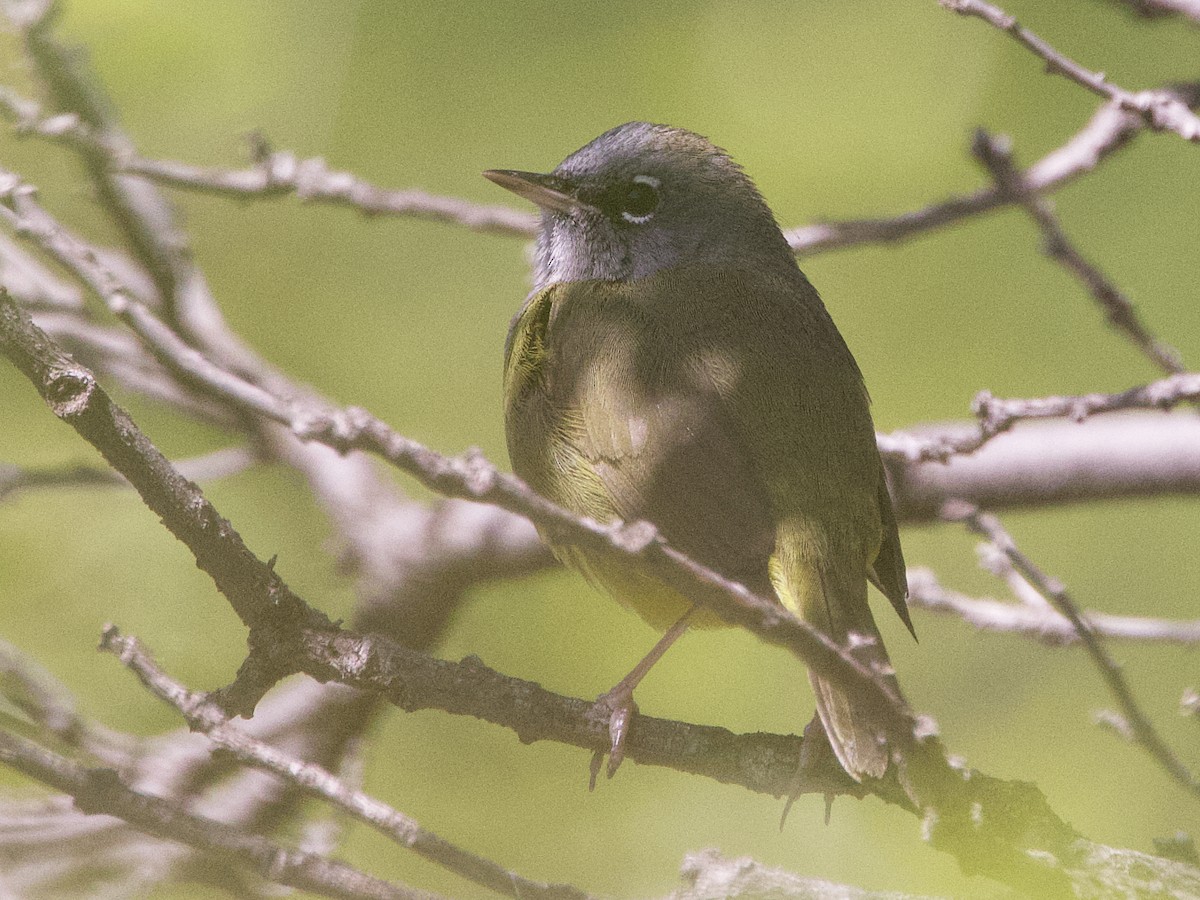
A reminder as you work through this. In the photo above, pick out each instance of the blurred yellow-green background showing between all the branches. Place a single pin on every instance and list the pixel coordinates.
(861, 107)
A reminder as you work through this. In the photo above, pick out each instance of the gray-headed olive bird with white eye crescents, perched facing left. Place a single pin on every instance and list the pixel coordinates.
(675, 365)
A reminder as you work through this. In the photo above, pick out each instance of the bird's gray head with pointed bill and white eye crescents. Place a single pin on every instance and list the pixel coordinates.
(643, 199)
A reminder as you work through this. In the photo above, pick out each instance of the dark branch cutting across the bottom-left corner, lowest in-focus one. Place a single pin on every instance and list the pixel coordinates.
(104, 791)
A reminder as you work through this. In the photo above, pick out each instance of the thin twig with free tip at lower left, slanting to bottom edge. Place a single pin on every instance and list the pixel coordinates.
(205, 716)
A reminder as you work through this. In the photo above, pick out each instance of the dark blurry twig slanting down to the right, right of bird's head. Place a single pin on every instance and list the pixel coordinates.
(997, 155)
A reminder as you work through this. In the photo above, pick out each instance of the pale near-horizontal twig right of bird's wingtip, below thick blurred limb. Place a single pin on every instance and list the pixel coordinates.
(1046, 626)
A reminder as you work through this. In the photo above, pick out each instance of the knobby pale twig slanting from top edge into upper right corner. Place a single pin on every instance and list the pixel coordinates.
(1160, 110)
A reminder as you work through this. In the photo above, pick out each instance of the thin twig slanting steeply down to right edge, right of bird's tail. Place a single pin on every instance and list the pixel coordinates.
(1144, 731)
